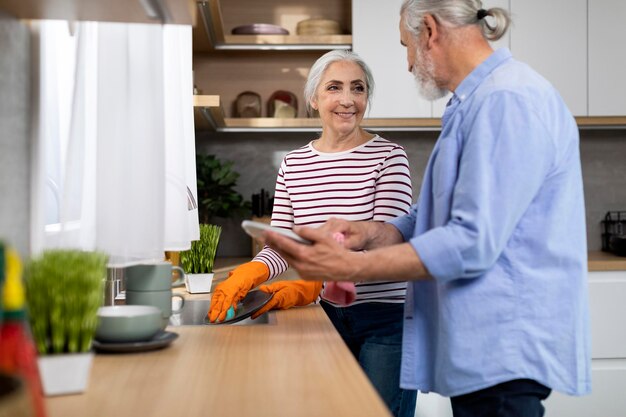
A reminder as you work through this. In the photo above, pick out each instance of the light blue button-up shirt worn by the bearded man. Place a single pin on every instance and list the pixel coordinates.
(500, 225)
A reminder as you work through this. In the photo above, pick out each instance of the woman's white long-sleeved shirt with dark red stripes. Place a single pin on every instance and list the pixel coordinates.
(369, 182)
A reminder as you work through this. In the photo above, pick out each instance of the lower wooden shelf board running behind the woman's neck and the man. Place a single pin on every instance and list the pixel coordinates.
(209, 115)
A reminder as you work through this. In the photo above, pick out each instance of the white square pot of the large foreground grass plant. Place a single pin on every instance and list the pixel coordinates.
(65, 373)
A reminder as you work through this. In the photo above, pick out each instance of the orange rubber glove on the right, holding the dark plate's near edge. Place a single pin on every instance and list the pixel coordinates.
(288, 294)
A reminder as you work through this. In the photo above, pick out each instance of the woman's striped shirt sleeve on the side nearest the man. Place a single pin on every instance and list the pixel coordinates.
(393, 187)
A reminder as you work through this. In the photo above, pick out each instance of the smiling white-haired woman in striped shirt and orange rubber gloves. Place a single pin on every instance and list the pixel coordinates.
(352, 174)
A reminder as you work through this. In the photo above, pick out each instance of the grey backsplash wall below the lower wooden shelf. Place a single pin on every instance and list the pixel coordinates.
(257, 156)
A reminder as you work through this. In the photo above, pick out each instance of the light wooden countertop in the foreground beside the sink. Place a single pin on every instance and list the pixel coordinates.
(297, 365)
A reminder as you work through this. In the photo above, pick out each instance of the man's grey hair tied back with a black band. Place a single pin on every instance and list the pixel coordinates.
(456, 13)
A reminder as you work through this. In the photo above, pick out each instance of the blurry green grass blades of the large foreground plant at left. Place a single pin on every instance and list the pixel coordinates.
(64, 289)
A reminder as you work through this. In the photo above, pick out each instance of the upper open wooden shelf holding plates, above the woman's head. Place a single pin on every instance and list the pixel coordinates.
(214, 29)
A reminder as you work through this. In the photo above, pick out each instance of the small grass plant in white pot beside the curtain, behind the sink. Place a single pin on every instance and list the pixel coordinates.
(198, 261)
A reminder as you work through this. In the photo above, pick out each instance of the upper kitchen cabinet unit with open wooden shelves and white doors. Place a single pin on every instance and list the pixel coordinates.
(558, 50)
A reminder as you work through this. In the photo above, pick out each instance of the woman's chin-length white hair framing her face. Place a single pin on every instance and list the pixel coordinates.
(321, 65)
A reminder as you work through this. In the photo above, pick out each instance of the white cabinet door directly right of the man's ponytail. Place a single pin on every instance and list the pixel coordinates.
(551, 37)
